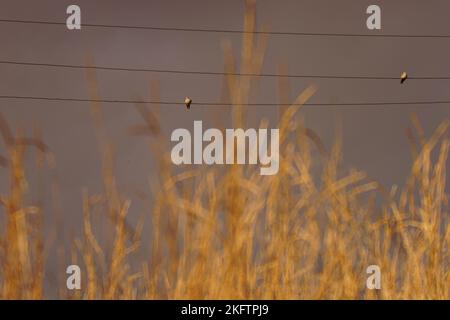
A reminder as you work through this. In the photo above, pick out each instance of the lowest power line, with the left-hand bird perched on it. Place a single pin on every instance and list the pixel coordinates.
(220, 104)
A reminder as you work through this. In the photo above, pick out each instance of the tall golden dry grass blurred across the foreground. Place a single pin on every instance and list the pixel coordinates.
(308, 232)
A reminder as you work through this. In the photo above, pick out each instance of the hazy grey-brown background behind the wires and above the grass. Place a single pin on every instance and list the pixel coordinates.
(374, 137)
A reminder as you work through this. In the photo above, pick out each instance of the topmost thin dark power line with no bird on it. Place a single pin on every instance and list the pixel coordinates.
(231, 31)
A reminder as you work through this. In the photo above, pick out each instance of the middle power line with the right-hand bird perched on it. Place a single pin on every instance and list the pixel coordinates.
(214, 73)
